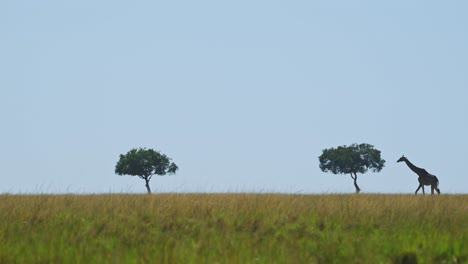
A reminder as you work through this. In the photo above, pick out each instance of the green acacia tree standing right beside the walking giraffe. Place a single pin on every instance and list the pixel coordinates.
(351, 160)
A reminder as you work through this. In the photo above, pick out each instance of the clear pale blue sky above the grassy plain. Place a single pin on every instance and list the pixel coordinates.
(242, 95)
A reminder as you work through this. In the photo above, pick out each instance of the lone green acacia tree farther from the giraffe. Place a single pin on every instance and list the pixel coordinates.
(145, 163)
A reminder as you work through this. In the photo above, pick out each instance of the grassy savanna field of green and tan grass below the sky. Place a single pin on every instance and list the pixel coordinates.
(233, 228)
